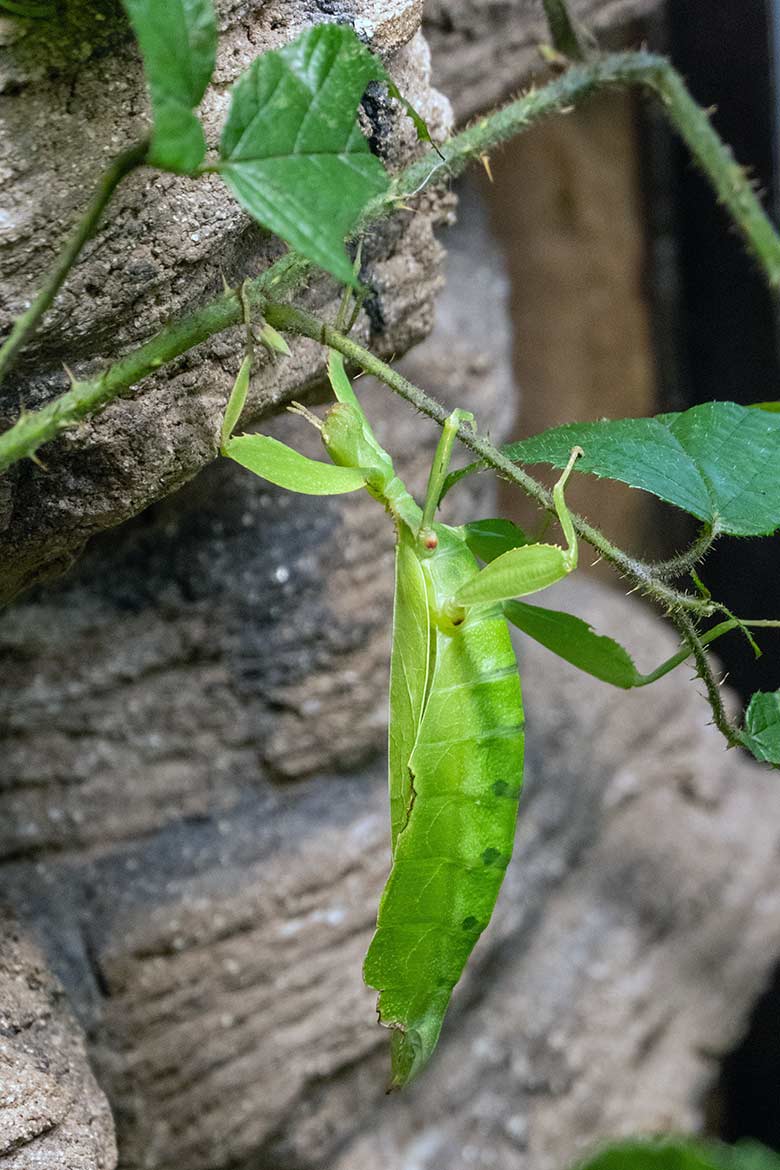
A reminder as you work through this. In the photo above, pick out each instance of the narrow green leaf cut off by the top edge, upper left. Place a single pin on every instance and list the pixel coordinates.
(178, 43)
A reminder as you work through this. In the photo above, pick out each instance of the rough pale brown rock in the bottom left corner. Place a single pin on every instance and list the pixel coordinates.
(53, 1114)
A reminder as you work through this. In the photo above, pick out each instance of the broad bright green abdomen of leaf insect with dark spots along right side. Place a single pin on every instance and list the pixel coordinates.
(451, 856)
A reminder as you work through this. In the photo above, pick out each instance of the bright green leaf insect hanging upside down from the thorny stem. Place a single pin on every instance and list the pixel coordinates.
(455, 751)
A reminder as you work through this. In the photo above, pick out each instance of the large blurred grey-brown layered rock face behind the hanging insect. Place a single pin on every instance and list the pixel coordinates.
(195, 803)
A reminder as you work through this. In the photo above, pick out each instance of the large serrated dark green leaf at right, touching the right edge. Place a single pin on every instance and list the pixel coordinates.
(719, 462)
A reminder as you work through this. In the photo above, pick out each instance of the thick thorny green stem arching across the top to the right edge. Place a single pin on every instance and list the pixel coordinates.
(644, 70)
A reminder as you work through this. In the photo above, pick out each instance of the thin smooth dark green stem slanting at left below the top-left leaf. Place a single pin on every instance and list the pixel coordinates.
(26, 326)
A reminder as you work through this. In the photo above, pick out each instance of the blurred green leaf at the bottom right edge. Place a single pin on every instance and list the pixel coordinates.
(677, 1154)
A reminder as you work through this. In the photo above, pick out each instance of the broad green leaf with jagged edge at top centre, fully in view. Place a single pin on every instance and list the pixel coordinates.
(293, 153)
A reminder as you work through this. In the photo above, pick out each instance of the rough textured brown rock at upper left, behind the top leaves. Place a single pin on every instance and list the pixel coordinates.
(165, 247)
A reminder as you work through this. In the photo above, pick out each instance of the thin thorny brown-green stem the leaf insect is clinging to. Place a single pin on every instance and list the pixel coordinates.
(679, 605)
